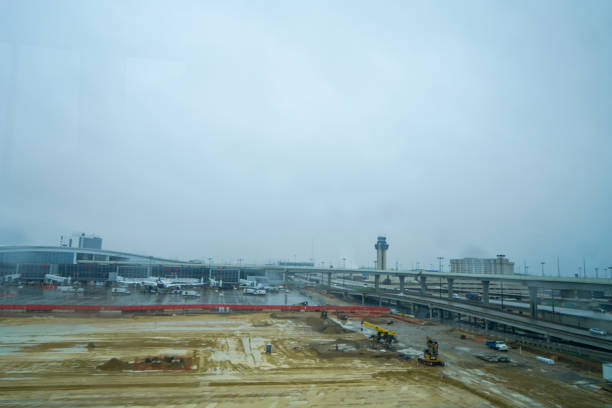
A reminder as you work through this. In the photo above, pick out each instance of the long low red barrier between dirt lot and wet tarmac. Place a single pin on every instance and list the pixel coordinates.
(132, 308)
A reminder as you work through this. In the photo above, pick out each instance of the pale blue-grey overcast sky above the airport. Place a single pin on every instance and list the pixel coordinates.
(272, 130)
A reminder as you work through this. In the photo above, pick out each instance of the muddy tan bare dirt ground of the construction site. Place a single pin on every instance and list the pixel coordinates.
(52, 361)
